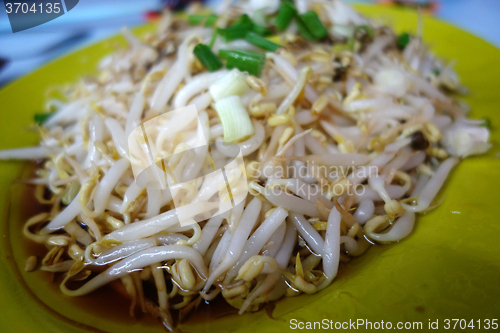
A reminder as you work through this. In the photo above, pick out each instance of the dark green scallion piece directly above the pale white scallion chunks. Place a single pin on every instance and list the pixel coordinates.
(245, 61)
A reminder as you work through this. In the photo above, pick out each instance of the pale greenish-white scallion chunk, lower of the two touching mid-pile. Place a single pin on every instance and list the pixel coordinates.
(234, 118)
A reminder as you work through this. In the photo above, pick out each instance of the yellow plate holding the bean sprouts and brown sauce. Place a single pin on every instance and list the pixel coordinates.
(448, 268)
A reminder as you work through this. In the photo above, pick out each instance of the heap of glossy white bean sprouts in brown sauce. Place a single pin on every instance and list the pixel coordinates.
(381, 117)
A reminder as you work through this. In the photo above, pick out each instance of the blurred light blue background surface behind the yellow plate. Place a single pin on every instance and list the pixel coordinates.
(93, 20)
